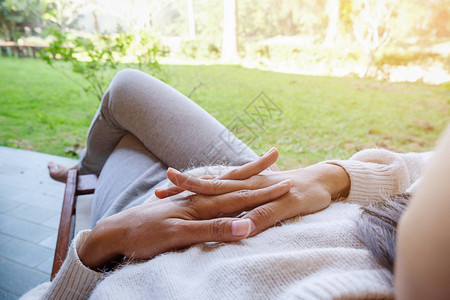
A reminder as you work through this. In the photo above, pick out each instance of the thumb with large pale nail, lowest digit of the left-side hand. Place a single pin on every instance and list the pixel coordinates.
(215, 230)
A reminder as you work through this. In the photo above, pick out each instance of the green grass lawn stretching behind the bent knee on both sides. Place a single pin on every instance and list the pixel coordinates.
(320, 118)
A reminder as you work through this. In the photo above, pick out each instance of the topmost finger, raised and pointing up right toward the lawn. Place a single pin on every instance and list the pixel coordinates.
(254, 167)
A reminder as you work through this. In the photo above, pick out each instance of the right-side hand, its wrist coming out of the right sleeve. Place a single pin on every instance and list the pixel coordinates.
(312, 190)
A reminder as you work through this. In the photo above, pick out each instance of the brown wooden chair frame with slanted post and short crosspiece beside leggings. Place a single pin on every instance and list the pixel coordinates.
(76, 185)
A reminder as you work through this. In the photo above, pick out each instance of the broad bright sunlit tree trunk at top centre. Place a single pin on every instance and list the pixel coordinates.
(230, 39)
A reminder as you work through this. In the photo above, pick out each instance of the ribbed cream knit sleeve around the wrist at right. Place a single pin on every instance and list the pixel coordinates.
(376, 173)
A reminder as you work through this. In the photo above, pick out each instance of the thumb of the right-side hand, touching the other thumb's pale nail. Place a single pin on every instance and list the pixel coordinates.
(267, 215)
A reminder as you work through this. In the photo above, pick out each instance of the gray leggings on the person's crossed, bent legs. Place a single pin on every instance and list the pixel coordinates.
(142, 127)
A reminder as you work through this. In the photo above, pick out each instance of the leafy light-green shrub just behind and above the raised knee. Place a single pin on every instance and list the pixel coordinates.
(99, 57)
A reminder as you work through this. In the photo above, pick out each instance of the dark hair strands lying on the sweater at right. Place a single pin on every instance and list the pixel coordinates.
(377, 227)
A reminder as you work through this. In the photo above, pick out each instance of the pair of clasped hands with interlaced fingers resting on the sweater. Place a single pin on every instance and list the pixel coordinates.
(198, 210)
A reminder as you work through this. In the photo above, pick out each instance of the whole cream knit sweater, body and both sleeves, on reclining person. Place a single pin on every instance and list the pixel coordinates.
(312, 257)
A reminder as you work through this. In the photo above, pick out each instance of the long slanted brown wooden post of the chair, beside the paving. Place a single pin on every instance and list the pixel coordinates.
(67, 211)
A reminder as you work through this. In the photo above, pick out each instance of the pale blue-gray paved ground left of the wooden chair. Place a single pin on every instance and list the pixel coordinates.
(30, 205)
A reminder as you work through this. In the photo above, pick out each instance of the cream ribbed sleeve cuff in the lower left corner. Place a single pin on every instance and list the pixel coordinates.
(73, 281)
